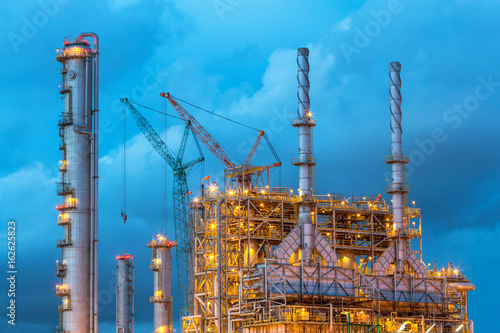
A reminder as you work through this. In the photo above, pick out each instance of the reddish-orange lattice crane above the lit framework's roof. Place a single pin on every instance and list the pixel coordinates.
(242, 172)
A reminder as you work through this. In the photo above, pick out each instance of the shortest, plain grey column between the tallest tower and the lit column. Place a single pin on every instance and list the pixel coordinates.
(125, 294)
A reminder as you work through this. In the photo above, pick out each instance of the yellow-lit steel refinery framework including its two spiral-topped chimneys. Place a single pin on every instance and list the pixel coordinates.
(268, 260)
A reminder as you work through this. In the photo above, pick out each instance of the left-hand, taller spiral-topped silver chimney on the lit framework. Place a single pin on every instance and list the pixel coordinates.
(305, 160)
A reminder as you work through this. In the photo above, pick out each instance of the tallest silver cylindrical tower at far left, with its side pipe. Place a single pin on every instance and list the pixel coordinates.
(78, 126)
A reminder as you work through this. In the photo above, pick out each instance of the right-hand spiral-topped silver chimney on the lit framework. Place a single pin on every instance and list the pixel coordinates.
(397, 159)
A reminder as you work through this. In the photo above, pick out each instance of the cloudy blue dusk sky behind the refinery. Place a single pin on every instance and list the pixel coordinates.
(238, 58)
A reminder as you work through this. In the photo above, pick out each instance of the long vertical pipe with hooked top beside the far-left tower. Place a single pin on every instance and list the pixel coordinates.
(95, 179)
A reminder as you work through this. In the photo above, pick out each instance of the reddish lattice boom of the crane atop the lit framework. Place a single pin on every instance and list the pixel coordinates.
(201, 133)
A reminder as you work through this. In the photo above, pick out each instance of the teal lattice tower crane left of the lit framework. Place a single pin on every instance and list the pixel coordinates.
(185, 265)
